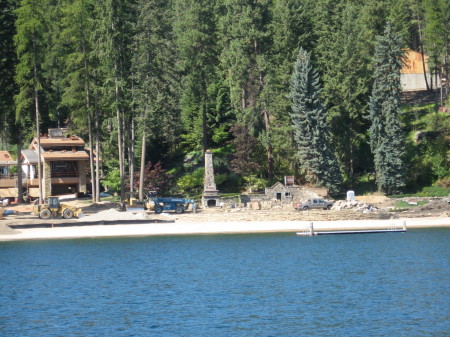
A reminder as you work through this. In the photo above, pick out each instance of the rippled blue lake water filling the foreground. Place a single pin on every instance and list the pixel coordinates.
(394, 284)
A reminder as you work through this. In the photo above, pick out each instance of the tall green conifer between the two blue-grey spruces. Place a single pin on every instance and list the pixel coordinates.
(346, 76)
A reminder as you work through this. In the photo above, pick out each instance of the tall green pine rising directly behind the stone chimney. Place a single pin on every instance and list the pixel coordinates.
(195, 33)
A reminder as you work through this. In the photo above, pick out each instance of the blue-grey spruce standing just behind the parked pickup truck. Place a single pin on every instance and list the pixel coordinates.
(311, 132)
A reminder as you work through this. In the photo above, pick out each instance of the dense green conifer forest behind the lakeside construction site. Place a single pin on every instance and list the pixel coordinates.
(152, 84)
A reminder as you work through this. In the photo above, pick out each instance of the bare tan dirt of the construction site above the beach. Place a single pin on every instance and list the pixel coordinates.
(385, 210)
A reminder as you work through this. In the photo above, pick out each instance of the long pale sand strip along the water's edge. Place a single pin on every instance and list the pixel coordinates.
(211, 228)
